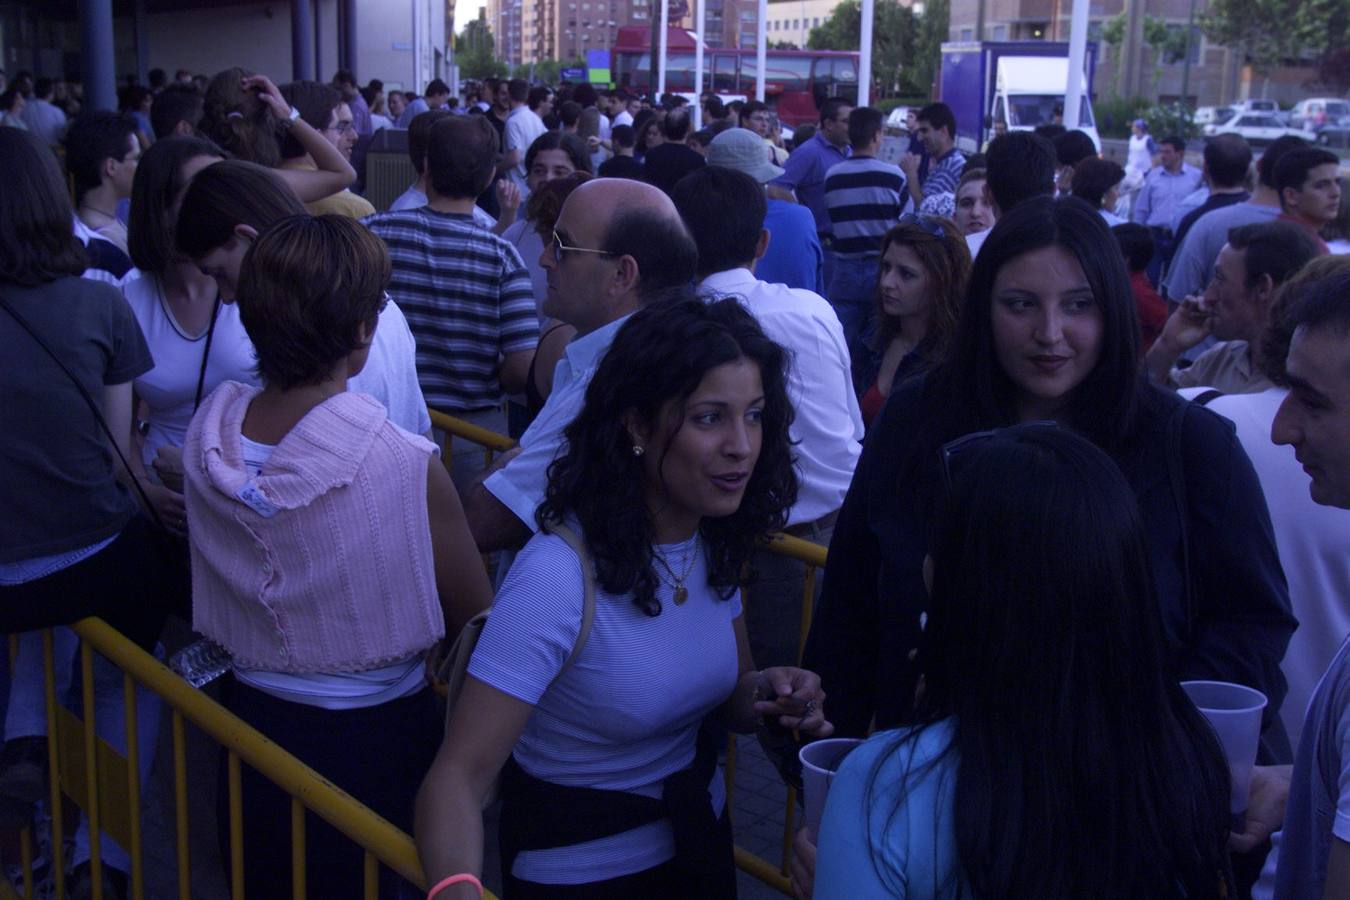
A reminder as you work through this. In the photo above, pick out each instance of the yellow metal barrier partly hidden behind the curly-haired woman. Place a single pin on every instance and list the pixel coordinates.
(811, 555)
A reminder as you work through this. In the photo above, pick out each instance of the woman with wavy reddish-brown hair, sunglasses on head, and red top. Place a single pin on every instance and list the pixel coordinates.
(920, 284)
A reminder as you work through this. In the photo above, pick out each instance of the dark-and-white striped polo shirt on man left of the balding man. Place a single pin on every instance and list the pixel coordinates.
(468, 299)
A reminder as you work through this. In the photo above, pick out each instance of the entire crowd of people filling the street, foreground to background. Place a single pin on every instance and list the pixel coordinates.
(1074, 432)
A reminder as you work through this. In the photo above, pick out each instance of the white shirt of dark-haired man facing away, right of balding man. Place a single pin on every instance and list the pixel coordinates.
(828, 430)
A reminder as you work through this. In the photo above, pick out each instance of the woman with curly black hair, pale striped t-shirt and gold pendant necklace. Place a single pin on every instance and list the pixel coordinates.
(677, 466)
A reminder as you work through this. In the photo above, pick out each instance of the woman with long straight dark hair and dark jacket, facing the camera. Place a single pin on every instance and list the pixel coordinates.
(1050, 331)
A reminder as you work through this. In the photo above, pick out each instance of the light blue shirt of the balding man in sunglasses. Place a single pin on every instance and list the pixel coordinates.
(520, 484)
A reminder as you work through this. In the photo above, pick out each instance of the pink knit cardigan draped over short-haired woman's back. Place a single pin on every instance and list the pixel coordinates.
(323, 563)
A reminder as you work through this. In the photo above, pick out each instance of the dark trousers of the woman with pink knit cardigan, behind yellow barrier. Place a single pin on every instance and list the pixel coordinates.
(379, 755)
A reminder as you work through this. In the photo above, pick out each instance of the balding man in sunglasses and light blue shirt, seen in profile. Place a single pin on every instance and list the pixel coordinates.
(618, 246)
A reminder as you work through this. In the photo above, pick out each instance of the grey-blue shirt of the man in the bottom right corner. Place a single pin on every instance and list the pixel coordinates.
(1320, 793)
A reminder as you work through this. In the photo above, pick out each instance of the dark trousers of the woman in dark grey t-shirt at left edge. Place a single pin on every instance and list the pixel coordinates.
(126, 585)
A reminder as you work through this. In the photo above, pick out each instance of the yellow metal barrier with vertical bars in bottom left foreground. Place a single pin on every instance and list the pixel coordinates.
(94, 778)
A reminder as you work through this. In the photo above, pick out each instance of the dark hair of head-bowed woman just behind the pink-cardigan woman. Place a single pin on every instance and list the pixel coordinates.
(230, 194)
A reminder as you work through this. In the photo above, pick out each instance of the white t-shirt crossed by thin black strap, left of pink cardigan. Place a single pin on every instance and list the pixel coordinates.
(171, 388)
